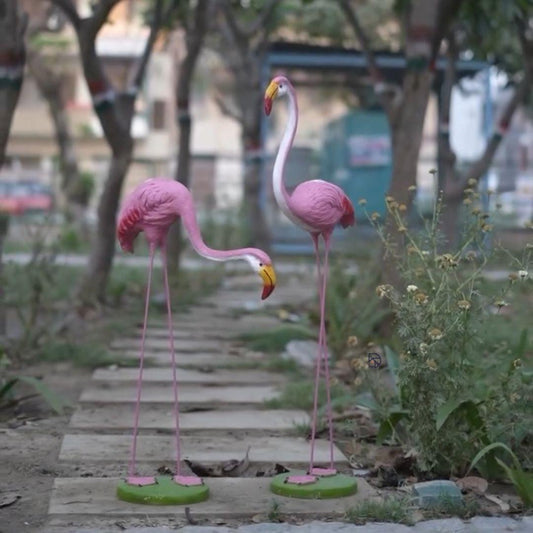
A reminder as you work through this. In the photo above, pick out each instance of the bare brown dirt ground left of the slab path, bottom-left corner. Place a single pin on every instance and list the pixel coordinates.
(30, 438)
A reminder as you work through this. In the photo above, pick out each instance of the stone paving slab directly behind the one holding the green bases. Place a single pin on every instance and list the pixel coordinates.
(285, 450)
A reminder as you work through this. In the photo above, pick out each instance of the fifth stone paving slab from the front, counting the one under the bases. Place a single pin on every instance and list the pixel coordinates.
(164, 375)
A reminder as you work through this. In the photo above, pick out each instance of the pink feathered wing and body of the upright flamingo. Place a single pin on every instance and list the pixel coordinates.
(321, 205)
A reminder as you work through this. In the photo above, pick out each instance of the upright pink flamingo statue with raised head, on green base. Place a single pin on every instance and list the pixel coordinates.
(316, 206)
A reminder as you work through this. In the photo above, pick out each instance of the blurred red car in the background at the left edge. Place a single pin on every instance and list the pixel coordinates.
(24, 197)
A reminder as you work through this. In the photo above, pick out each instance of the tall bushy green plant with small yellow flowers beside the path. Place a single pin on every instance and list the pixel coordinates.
(449, 403)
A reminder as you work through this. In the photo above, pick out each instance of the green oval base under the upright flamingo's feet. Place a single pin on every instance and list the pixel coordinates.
(337, 486)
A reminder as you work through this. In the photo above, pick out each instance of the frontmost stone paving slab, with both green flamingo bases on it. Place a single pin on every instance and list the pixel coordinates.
(229, 497)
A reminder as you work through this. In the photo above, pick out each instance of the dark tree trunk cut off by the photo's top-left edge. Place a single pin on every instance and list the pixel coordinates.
(13, 24)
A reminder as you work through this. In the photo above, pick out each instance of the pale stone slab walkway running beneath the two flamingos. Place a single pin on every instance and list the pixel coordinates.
(223, 415)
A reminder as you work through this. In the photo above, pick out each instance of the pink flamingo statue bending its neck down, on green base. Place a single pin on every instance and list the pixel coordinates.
(152, 207)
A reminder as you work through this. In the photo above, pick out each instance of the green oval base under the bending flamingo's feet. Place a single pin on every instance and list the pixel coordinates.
(165, 492)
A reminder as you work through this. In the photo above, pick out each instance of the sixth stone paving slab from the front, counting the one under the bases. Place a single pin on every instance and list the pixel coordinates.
(199, 360)
